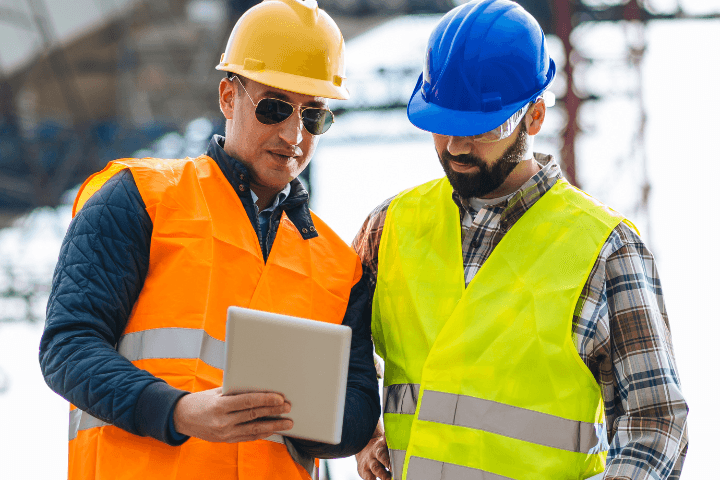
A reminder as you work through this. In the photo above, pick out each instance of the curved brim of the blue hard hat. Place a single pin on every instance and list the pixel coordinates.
(458, 123)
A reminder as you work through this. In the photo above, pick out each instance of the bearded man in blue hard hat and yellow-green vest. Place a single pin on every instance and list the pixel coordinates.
(521, 322)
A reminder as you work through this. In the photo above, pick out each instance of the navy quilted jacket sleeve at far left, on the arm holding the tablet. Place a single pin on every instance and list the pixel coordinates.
(100, 271)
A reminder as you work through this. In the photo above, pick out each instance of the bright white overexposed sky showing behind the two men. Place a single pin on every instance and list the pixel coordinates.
(351, 177)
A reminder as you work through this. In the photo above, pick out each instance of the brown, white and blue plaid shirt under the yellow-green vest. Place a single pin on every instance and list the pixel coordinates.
(620, 328)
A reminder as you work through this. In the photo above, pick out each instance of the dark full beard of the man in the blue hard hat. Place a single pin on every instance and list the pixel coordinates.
(487, 179)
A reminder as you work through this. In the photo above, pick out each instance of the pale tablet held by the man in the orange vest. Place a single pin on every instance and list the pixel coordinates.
(305, 360)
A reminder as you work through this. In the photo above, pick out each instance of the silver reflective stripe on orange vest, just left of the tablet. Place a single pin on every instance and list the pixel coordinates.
(173, 343)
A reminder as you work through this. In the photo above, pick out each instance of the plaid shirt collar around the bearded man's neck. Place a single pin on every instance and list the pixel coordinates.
(525, 197)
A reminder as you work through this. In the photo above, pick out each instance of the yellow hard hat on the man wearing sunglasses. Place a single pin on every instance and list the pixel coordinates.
(289, 44)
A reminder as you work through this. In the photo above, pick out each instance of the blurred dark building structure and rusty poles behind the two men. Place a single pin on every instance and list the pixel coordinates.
(143, 68)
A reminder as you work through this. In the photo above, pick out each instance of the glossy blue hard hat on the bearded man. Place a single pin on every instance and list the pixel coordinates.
(484, 62)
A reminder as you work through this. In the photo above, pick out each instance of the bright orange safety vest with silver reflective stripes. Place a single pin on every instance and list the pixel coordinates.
(204, 257)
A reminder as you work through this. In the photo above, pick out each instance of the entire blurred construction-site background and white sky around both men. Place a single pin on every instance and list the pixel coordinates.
(83, 82)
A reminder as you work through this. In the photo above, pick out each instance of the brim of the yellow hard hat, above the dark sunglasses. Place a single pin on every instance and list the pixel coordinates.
(292, 83)
